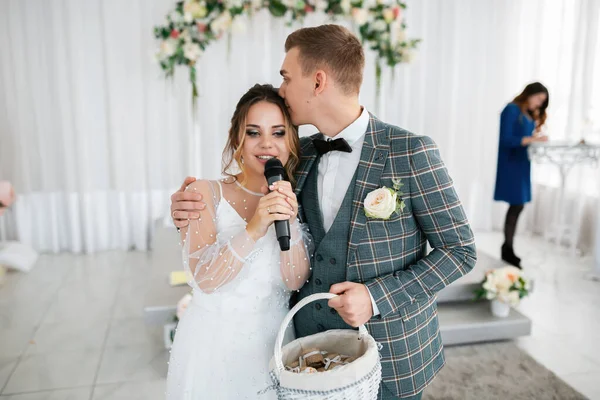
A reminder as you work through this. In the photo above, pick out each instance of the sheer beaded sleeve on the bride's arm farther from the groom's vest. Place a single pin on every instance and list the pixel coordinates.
(211, 258)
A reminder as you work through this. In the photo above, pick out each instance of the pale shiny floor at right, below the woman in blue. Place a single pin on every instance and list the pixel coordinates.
(564, 309)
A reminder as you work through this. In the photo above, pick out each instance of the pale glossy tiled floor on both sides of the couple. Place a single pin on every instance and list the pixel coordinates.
(73, 327)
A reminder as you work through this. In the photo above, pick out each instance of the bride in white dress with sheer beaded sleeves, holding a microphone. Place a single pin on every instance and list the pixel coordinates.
(241, 280)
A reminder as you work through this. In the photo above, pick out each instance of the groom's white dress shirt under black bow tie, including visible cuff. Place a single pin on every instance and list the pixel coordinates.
(336, 170)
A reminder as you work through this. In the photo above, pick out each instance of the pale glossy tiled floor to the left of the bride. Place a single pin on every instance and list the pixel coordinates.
(73, 329)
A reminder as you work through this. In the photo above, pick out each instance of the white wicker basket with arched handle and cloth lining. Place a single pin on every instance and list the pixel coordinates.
(358, 380)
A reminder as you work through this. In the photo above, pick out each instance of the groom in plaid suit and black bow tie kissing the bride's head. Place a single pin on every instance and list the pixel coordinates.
(378, 262)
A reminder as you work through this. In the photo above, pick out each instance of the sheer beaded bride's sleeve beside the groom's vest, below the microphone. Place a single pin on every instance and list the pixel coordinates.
(295, 263)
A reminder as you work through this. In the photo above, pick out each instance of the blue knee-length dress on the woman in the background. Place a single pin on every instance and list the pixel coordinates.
(513, 175)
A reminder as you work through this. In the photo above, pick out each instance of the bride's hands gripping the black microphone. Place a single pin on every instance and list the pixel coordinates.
(275, 206)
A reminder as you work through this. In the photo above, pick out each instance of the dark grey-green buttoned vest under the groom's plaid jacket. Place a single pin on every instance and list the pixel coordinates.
(329, 260)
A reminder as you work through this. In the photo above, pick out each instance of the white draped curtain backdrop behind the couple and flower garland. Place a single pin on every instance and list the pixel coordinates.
(95, 140)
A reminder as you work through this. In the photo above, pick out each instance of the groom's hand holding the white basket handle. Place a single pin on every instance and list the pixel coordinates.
(353, 302)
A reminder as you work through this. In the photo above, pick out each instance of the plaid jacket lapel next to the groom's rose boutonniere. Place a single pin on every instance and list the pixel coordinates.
(368, 175)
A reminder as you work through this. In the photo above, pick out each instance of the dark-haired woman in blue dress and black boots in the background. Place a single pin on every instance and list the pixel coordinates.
(520, 125)
